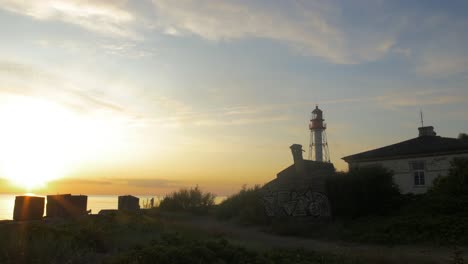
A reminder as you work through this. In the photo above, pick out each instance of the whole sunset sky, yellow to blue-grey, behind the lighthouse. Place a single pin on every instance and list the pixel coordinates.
(145, 97)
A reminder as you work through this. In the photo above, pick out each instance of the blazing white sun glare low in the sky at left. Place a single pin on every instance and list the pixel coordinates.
(41, 141)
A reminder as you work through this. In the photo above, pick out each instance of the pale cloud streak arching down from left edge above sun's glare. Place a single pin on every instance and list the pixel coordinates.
(23, 79)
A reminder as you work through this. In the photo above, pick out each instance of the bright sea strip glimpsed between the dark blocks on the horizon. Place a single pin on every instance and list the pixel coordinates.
(96, 203)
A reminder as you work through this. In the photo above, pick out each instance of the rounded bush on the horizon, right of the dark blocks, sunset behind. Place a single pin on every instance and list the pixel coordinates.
(190, 200)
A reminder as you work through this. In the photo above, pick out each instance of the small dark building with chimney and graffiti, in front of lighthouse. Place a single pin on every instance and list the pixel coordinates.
(300, 189)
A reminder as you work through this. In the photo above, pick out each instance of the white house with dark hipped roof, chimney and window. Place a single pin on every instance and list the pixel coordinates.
(415, 162)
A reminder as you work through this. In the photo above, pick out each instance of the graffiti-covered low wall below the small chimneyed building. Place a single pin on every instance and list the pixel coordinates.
(293, 203)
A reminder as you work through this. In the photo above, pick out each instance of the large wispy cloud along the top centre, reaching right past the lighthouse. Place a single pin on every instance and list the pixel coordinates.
(312, 27)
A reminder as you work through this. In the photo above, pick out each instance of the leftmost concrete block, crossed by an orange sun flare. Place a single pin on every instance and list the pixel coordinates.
(28, 208)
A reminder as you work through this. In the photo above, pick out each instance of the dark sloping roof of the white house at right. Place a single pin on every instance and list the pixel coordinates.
(416, 147)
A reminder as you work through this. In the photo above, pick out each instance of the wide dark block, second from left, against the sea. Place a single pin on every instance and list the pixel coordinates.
(66, 205)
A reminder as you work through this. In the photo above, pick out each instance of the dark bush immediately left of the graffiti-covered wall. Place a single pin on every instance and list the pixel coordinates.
(245, 206)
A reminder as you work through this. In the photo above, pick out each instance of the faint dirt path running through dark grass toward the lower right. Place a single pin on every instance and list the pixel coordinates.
(254, 238)
